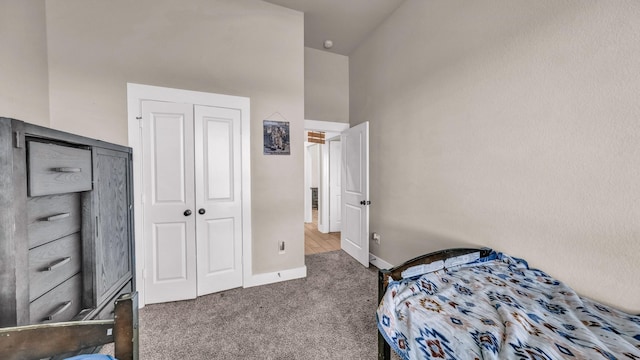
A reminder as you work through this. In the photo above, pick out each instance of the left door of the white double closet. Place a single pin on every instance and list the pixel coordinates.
(170, 248)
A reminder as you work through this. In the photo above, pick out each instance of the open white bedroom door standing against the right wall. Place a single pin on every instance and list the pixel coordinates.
(355, 192)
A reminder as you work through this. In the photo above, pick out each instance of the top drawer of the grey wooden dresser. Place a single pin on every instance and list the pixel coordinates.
(56, 169)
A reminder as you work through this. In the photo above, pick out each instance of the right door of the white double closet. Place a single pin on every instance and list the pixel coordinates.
(218, 198)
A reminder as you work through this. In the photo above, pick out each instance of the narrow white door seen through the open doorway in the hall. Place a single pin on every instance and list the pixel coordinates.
(335, 187)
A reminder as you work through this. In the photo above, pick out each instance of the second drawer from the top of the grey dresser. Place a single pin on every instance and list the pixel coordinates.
(52, 217)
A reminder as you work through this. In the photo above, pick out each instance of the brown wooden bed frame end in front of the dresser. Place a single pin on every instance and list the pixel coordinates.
(64, 339)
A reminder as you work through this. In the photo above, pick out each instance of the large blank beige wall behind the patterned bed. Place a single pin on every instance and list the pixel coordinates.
(509, 124)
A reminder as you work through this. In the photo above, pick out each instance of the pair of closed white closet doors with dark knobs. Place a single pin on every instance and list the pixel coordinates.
(192, 199)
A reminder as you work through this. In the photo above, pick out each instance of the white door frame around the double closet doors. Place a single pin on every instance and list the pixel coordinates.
(136, 93)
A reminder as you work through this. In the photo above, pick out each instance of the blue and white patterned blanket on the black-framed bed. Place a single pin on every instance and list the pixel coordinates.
(498, 308)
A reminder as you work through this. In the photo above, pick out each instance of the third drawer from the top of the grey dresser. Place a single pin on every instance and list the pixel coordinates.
(53, 263)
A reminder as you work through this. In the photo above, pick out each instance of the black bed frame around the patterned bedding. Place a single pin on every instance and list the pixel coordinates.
(384, 350)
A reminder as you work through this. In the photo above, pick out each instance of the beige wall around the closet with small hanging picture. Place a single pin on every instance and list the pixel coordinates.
(241, 47)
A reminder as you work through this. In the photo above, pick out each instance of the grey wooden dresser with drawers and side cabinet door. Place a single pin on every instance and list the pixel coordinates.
(66, 225)
